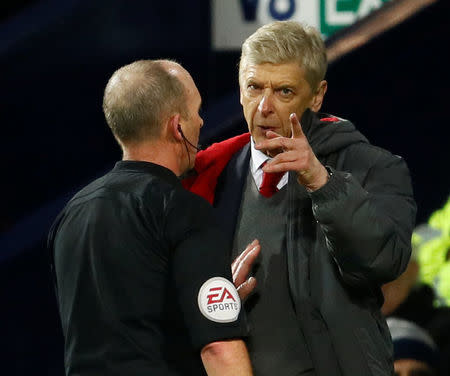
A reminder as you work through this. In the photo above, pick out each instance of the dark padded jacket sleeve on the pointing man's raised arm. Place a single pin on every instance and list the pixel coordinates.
(367, 213)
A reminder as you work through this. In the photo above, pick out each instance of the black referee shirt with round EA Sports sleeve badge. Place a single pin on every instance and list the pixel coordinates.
(140, 266)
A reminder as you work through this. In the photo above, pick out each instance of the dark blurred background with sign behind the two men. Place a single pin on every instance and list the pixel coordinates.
(388, 74)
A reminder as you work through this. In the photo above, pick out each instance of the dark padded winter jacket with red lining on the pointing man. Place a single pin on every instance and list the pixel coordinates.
(343, 241)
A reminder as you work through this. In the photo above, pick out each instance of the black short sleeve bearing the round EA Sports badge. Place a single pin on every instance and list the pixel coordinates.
(201, 272)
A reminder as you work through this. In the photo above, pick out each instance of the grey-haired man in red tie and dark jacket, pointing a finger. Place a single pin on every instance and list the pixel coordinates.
(333, 214)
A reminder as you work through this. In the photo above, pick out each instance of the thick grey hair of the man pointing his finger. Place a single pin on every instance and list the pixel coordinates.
(284, 42)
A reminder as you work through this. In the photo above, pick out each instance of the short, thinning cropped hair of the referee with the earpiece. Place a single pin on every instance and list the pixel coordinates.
(139, 96)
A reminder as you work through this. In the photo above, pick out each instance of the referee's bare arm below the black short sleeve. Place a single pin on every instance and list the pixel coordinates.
(226, 358)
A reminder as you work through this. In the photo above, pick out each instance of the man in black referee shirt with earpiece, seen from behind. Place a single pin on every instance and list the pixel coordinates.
(143, 279)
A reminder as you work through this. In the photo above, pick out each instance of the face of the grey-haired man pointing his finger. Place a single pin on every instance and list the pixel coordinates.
(270, 93)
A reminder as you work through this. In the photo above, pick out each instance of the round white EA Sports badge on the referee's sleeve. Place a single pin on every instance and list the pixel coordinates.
(219, 300)
